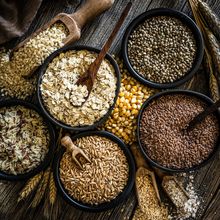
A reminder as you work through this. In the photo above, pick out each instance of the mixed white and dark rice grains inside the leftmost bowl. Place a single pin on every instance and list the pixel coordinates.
(24, 140)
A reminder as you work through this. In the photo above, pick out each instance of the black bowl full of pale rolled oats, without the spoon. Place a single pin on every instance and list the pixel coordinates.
(59, 96)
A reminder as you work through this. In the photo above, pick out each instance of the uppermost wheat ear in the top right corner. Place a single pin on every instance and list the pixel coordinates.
(211, 19)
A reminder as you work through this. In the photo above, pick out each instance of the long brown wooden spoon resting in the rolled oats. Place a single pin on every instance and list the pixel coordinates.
(89, 77)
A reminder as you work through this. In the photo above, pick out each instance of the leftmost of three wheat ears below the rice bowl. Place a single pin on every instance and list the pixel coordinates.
(30, 186)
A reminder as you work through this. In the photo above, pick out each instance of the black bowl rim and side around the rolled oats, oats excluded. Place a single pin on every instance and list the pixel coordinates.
(41, 102)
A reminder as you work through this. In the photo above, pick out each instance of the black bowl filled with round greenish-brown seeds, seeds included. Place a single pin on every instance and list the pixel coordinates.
(162, 48)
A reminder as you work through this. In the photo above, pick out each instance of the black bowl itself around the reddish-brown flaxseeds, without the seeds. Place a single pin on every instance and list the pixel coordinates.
(172, 92)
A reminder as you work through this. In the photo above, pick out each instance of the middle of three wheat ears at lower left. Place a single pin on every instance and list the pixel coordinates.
(41, 189)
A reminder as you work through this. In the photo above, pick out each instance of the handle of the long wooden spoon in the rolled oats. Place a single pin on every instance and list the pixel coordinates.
(96, 64)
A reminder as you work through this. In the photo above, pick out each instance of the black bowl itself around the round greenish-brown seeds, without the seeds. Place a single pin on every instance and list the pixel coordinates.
(171, 13)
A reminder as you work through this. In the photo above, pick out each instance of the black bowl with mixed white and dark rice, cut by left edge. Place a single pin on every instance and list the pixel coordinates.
(26, 140)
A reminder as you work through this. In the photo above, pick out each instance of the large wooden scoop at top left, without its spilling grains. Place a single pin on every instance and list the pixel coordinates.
(74, 22)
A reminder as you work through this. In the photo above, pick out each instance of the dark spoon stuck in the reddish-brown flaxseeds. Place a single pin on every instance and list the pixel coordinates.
(201, 116)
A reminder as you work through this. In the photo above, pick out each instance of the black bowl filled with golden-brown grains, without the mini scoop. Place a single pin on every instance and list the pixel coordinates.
(105, 181)
